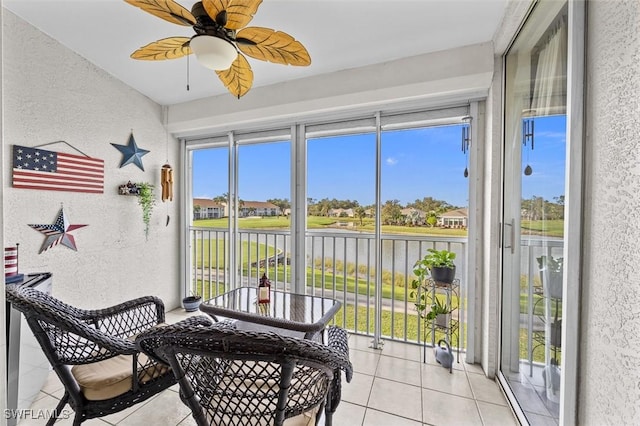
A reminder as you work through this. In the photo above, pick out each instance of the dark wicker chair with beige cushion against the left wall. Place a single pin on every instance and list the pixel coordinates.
(93, 352)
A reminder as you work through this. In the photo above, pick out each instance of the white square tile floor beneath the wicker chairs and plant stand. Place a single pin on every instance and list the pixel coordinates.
(390, 387)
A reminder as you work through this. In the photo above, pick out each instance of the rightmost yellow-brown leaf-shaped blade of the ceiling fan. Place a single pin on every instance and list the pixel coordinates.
(273, 46)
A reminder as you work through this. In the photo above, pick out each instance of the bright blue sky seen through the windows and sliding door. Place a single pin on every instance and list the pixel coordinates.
(416, 163)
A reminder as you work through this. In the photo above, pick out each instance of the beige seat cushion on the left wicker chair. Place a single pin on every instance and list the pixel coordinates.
(112, 377)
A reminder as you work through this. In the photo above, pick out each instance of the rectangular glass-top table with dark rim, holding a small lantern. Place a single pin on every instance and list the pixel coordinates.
(307, 314)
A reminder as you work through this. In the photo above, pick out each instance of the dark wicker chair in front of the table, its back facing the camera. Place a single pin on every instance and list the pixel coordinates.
(234, 377)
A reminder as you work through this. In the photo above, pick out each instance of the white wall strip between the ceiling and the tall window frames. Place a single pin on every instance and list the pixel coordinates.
(431, 79)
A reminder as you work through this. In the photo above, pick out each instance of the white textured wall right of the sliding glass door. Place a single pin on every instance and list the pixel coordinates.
(609, 374)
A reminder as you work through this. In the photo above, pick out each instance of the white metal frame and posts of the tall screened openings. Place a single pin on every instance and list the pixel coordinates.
(298, 134)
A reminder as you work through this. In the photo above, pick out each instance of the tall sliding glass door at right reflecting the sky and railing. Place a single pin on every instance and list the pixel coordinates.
(534, 212)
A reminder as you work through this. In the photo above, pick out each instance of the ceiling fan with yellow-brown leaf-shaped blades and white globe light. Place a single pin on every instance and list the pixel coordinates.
(221, 38)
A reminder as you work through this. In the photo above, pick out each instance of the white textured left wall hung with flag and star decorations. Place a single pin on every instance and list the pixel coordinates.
(50, 94)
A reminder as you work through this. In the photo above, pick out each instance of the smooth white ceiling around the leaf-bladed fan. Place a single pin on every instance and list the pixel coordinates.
(339, 34)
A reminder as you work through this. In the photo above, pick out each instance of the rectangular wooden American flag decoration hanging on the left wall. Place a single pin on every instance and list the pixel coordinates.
(36, 168)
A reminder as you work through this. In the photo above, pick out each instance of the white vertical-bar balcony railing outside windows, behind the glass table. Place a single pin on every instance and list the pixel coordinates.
(340, 264)
